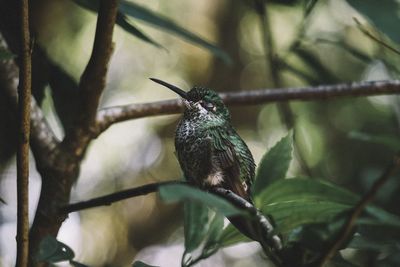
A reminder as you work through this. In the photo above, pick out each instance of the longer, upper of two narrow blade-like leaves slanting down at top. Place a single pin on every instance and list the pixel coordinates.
(159, 21)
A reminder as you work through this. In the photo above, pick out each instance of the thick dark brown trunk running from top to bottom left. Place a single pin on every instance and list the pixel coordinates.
(58, 178)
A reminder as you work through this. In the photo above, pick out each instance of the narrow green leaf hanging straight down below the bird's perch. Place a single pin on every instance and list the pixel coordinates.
(195, 224)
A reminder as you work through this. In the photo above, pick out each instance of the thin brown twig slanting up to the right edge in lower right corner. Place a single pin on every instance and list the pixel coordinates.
(358, 209)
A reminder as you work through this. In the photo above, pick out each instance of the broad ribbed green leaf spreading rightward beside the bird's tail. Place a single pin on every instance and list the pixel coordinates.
(297, 201)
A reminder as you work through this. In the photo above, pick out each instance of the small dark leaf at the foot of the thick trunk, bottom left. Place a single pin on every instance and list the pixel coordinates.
(51, 250)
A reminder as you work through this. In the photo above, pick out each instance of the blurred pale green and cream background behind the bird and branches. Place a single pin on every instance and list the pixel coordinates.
(315, 42)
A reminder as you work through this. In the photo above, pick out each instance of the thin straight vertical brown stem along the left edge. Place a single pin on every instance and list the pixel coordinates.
(24, 93)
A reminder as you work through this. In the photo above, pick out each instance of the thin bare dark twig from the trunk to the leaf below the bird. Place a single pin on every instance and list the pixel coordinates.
(114, 197)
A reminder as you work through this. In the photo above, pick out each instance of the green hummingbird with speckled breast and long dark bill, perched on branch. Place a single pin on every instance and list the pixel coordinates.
(209, 150)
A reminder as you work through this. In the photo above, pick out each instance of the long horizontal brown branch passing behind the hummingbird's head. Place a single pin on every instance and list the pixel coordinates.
(106, 117)
